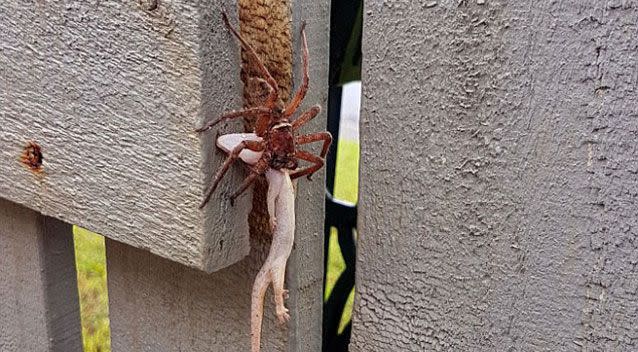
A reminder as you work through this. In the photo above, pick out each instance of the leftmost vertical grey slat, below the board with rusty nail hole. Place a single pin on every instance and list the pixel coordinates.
(39, 307)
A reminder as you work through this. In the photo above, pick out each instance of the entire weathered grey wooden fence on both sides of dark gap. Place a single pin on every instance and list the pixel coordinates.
(499, 177)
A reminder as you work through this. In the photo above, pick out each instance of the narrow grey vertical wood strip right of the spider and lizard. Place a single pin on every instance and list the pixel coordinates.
(305, 265)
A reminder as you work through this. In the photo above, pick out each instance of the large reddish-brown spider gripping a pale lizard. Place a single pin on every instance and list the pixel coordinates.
(275, 134)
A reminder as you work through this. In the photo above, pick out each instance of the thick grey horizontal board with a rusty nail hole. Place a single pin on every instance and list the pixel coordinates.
(112, 92)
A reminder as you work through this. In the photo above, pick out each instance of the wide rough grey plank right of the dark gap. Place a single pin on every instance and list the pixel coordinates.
(499, 177)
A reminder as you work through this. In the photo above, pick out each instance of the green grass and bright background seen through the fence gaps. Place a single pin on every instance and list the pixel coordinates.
(91, 260)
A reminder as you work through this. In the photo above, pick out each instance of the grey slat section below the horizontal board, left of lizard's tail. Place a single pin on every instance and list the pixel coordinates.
(159, 305)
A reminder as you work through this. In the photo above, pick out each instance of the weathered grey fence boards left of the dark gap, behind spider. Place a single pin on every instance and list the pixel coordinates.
(110, 94)
